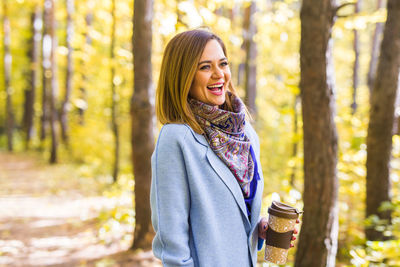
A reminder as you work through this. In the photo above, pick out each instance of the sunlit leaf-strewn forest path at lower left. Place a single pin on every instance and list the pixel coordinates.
(50, 217)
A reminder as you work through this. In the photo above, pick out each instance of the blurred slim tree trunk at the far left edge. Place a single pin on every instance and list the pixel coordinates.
(7, 77)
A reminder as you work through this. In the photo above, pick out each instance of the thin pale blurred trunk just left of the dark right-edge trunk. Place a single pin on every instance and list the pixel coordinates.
(376, 41)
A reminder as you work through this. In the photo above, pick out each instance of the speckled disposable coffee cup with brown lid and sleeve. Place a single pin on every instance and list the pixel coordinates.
(281, 222)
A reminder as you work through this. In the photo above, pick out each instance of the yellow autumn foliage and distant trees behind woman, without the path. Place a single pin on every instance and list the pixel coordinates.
(72, 102)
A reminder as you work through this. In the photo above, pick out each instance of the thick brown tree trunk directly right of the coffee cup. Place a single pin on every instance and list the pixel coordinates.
(318, 236)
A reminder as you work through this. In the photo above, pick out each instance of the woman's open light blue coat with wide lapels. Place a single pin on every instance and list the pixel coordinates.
(198, 210)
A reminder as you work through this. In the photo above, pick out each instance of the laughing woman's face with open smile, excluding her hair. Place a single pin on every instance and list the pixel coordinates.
(212, 76)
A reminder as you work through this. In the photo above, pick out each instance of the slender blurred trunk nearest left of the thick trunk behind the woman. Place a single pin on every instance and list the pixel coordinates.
(114, 96)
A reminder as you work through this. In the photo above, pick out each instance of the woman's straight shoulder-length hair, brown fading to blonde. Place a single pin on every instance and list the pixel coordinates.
(178, 69)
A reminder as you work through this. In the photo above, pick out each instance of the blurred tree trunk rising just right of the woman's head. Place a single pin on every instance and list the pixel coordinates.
(249, 30)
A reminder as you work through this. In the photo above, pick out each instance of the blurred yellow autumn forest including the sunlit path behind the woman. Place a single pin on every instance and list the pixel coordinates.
(73, 96)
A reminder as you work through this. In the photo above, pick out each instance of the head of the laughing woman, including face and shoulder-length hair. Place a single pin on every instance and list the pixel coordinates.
(192, 61)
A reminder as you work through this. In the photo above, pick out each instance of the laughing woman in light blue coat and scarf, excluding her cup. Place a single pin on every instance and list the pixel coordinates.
(206, 179)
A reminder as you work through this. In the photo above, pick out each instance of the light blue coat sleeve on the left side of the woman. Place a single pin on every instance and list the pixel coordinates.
(170, 200)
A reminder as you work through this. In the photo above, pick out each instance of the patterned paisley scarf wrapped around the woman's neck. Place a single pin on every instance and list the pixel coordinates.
(224, 132)
